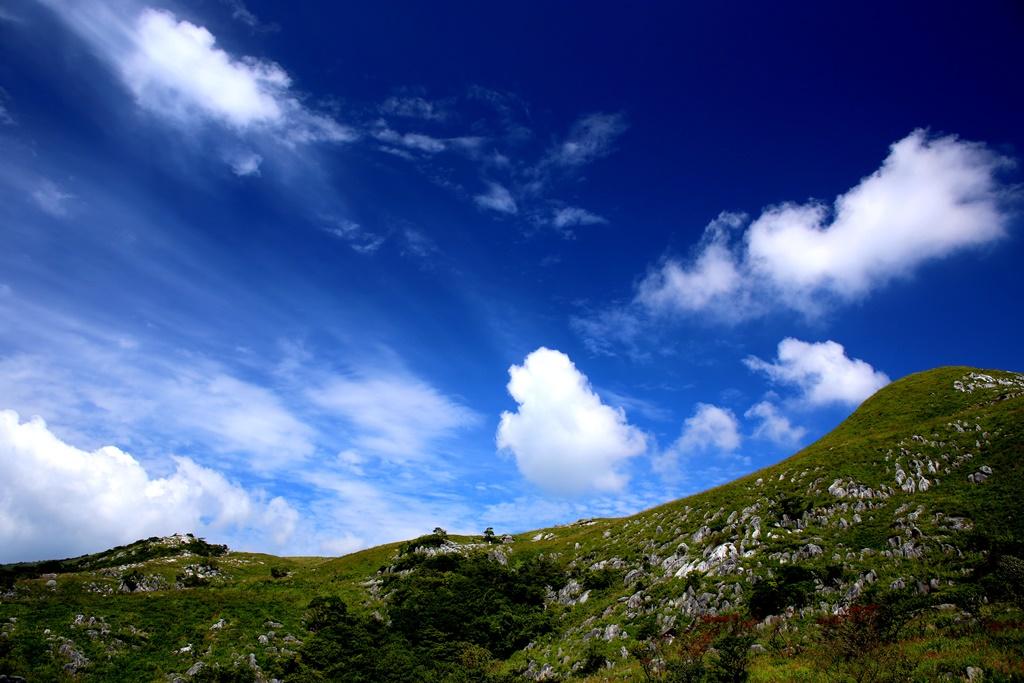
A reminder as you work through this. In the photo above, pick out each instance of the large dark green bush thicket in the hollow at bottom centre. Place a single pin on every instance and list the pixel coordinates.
(446, 621)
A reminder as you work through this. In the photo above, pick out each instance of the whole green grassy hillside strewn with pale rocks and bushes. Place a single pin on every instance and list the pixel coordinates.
(888, 550)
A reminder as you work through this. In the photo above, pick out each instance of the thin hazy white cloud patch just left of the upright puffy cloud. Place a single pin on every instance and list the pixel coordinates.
(397, 417)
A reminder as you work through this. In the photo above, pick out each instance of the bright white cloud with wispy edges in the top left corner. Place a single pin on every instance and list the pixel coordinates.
(175, 69)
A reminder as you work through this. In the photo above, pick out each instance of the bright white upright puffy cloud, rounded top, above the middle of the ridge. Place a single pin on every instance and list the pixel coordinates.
(564, 439)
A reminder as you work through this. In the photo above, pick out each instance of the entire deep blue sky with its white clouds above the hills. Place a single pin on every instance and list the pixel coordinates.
(307, 280)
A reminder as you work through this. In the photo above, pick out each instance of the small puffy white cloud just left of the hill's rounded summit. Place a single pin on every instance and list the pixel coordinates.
(823, 372)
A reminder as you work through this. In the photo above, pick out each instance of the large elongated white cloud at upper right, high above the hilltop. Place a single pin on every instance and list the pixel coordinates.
(931, 198)
